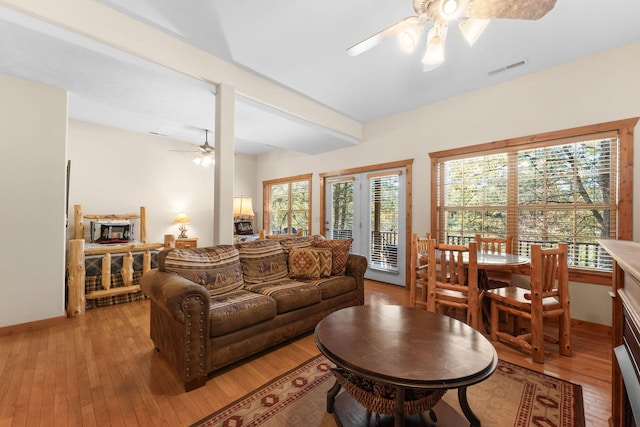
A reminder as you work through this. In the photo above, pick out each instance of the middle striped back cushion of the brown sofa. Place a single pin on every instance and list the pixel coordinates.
(262, 261)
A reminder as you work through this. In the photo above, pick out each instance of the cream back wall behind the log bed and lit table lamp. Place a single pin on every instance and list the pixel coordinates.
(117, 171)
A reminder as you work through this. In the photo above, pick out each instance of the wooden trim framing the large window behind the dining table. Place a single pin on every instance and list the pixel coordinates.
(624, 129)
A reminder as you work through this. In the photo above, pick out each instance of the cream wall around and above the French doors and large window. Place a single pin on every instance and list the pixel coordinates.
(597, 89)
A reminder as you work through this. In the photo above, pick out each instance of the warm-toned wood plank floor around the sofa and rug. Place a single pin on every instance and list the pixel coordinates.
(101, 369)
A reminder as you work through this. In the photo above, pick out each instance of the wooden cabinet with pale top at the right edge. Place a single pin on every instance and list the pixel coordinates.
(625, 384)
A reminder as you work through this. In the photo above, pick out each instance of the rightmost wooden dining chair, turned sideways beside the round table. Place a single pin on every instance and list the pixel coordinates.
(547, 298)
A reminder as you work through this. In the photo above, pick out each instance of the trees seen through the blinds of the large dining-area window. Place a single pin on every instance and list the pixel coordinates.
(547, 194)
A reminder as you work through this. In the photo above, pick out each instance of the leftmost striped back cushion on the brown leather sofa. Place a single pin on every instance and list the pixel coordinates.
(217, 268)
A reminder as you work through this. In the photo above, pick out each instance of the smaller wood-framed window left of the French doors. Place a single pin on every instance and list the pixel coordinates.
(287, 205)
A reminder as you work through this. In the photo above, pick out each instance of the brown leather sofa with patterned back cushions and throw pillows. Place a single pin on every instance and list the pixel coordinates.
(214, 306)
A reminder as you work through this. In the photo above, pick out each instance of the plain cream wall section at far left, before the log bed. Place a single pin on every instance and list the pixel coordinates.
(32, 185)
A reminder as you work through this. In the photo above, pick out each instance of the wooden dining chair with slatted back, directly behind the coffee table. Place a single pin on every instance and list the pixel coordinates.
(453, 284)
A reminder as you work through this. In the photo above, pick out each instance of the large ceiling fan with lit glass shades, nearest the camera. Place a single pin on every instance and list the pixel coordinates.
(473, 16)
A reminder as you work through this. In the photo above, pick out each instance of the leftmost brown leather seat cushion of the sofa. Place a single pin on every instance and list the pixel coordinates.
(238, 309)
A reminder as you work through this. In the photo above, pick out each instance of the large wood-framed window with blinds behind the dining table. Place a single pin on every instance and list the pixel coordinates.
(545, 189)
